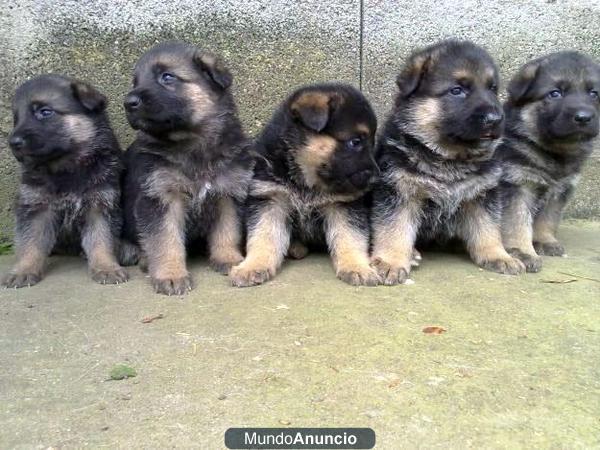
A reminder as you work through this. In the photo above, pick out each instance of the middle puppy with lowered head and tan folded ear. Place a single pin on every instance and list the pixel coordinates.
(316, 163)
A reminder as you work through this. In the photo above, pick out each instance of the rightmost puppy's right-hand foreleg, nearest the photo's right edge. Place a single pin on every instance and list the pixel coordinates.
(545, 226)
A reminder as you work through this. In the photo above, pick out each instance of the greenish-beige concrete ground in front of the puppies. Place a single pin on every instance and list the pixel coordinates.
(518, 366)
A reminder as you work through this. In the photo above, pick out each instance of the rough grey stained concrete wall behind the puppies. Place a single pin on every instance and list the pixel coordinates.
(273, 46)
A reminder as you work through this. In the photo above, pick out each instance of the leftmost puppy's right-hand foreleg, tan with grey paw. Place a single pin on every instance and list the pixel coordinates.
(99, 246)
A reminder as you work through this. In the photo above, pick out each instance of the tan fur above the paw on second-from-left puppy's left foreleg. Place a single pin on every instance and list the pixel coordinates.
(166, 249)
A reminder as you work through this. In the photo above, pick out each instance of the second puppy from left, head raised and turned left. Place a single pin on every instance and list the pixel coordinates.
(189, 168)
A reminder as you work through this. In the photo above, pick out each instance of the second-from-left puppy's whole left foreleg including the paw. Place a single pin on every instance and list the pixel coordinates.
(165, 251)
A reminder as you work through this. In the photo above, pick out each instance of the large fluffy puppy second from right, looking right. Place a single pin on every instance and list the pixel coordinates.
(439, 181)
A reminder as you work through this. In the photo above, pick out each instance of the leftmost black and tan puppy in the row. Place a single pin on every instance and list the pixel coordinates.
(70, 168)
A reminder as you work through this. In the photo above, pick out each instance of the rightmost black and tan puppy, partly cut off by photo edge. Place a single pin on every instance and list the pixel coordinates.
(552, 120)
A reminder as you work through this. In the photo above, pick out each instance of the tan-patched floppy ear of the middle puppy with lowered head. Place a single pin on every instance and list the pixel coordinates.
(313, 109)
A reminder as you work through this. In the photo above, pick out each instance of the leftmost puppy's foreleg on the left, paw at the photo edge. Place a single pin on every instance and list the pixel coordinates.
(35, 238)
